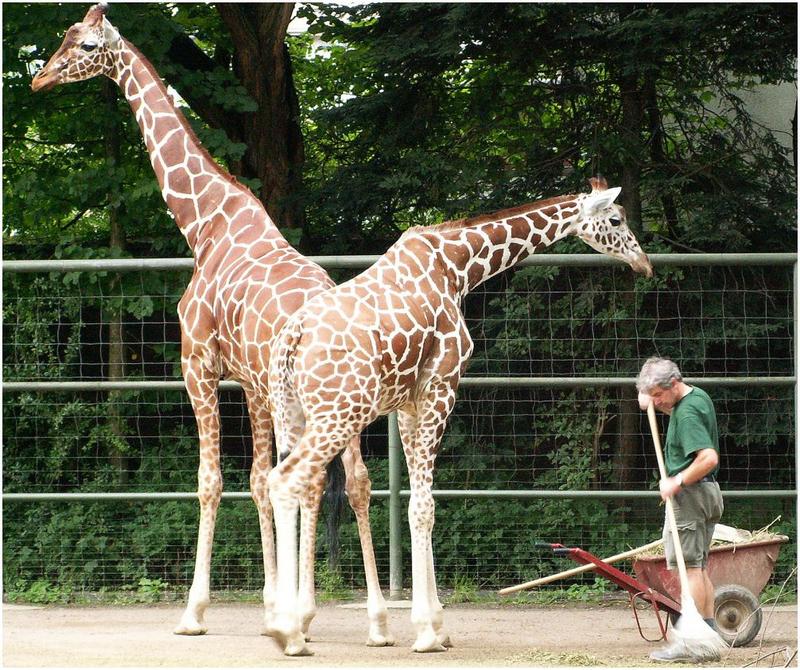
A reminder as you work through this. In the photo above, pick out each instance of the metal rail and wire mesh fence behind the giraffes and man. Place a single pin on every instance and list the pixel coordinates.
(727, 318)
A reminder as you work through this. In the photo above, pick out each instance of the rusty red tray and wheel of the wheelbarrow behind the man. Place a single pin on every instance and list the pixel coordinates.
(739, 572)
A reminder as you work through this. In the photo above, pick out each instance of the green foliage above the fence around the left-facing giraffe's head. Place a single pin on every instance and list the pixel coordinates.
(58, 181)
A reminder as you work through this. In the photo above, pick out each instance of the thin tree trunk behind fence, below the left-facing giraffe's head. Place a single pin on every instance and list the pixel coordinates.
(116, 341)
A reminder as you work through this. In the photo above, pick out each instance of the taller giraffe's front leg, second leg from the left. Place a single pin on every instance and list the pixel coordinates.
(261, 426)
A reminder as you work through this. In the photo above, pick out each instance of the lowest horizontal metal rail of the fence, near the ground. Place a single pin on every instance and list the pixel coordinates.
(448, 494)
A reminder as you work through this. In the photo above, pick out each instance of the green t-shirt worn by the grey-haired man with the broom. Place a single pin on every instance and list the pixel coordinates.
(692, 427)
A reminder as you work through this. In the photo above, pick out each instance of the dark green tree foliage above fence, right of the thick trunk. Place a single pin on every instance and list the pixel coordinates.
(516, 101)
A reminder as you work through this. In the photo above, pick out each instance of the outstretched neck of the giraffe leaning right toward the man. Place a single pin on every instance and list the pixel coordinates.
(479, 248)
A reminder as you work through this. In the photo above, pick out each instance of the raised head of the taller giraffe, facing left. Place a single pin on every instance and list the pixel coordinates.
(87, 51)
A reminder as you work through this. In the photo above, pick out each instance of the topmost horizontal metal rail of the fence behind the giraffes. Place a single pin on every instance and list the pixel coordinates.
(360, 262)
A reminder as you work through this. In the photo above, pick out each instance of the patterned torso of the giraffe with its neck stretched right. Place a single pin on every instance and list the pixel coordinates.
(372, 343)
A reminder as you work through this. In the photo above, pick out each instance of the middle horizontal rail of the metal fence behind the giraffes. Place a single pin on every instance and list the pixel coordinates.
(467, 382)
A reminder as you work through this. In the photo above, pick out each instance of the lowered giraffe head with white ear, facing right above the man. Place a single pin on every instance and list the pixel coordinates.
(601, 224)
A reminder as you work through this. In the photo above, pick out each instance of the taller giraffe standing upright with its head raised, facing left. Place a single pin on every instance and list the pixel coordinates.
(247, 280)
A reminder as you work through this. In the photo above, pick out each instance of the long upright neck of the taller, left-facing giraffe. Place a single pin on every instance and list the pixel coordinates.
(196, 189)
